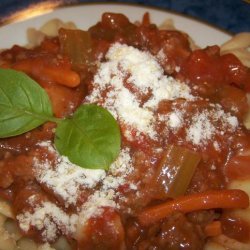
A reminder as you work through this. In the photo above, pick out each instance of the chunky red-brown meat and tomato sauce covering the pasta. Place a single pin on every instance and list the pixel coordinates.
(214, 78)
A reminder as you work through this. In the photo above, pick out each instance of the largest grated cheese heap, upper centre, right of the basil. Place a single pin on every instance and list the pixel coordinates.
(141, 70)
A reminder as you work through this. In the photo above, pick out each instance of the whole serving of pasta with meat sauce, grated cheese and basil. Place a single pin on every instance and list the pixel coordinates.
(124, 136)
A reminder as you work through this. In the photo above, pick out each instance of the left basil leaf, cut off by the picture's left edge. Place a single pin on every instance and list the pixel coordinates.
(24, 105)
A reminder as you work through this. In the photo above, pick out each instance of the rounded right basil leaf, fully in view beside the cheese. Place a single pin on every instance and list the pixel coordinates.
(90, 139)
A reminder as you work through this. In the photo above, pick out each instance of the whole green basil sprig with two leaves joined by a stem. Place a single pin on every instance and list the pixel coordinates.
(90, 138)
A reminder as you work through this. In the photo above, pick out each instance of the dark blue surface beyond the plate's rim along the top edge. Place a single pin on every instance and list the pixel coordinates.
(230, 15)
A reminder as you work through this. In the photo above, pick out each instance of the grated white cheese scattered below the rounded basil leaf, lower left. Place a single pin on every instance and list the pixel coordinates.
(65, 179)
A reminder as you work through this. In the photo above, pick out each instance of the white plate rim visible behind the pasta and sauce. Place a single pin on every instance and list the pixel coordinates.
(88, 14)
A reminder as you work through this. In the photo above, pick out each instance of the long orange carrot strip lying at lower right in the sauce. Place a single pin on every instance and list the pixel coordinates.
(193, 202)
